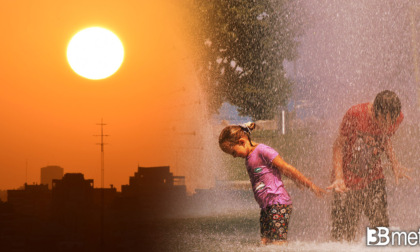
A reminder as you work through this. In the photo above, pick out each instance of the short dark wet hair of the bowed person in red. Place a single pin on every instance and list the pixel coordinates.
(387, 102)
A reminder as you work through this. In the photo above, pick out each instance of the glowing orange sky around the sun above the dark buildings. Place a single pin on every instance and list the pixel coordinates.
(49, 113)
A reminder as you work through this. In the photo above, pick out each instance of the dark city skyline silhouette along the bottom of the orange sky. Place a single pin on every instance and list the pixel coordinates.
(75, 216)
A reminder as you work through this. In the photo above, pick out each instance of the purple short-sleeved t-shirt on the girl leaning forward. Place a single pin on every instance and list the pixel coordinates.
(266, 180)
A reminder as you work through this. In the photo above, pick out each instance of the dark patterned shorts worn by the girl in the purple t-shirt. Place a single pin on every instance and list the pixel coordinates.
(274, 222)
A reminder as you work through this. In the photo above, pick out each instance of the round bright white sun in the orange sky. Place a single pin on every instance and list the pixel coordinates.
(95, 53)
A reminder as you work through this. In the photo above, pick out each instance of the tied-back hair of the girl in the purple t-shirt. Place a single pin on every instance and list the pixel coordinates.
(232, 133)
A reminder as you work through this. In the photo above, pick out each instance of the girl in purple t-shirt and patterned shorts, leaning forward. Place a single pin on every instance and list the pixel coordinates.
(265, 167)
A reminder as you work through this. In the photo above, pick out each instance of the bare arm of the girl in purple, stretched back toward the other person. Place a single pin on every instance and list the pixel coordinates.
(296, 175)
